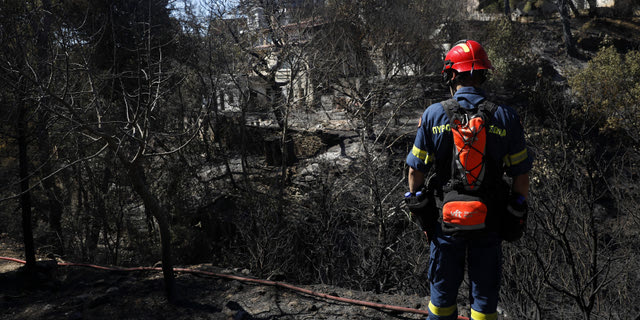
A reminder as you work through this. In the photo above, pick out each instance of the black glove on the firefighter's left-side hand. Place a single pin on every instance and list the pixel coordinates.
(423, 210)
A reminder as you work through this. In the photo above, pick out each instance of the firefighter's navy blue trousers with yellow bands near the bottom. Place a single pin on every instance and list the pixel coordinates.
(483, 256)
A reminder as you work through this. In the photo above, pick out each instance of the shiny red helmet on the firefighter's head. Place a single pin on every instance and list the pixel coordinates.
(466, 55)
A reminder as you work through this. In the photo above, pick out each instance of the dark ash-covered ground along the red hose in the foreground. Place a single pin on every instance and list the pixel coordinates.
(74, 293)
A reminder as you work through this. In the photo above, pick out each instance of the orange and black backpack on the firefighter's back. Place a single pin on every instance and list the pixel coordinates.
(473, 188)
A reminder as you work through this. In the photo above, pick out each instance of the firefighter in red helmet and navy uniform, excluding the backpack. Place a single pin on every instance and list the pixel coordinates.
(465, 68)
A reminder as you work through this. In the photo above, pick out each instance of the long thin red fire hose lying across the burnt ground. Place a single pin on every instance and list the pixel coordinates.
(251, 280)
